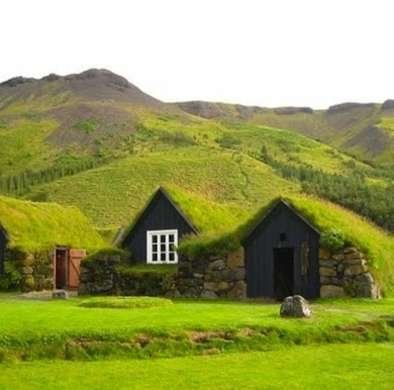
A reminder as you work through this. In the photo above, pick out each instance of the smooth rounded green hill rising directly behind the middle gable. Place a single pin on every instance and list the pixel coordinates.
(115, 193)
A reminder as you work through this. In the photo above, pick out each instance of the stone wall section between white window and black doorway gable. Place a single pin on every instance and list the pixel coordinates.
(212, 277)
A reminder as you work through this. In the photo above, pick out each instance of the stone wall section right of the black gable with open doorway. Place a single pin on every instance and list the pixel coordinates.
(346, 273)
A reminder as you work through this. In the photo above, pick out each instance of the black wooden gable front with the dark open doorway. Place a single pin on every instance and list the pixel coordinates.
(282, 250)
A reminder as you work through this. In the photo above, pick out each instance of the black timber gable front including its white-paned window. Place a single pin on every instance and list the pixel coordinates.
(161, 215)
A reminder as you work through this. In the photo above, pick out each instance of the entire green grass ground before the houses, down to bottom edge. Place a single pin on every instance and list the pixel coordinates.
(194, 344)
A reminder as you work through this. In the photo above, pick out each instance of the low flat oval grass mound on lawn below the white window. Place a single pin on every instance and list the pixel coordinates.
(125, 302)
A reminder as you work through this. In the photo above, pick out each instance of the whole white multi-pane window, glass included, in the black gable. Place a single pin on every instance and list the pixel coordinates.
(161, 246)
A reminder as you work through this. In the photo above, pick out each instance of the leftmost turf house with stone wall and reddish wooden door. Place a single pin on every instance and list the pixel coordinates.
(42, 244)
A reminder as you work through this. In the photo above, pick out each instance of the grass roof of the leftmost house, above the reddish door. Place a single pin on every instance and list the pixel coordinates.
(37, 226)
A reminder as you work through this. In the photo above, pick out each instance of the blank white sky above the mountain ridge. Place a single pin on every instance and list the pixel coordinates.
(254, 52)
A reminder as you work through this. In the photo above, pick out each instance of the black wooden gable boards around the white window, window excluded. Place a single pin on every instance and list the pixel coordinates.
(161, 213)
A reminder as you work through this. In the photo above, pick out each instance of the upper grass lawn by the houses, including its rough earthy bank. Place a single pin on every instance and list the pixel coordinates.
(32, 329)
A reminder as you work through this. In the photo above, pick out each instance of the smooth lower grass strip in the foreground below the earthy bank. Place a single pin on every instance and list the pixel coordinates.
(308, 367)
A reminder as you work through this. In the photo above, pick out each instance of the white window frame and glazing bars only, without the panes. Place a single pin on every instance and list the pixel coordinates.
(159, 234)
